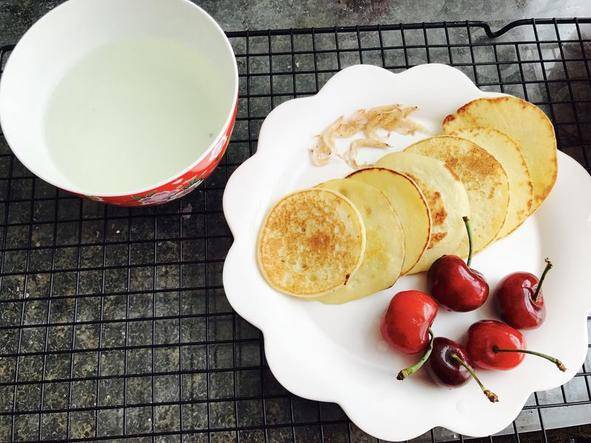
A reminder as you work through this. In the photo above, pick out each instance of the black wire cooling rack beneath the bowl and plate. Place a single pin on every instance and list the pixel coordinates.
(113, 321)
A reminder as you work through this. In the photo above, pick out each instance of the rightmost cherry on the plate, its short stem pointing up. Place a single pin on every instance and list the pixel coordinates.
(520, 301)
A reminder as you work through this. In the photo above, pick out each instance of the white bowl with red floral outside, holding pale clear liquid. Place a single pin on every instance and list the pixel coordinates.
(130, 102)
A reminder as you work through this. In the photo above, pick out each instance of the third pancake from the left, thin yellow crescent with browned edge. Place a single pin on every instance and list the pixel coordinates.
(409, 203)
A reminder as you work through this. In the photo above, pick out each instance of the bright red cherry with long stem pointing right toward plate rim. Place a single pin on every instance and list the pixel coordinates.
(493, 344)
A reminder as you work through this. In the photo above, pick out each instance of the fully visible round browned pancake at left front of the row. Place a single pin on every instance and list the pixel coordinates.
(311, 242)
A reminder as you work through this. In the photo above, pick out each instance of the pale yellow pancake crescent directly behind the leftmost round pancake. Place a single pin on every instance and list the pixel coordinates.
(384, 251)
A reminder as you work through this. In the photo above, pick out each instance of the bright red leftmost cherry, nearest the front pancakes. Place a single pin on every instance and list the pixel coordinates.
(407, 321)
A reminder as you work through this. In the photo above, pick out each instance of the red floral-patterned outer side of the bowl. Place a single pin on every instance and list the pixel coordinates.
(181, 185)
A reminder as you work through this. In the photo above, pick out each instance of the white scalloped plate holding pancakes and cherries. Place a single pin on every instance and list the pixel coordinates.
(335, 353)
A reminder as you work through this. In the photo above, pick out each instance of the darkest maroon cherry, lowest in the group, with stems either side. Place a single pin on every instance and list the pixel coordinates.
(447, 363)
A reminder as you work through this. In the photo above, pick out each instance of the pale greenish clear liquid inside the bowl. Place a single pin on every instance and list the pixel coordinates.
(133, 113)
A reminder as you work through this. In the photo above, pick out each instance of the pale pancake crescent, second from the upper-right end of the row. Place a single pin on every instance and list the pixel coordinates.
(507, 152)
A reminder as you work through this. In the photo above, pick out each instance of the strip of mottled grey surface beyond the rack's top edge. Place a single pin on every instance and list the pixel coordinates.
(234, 15)
